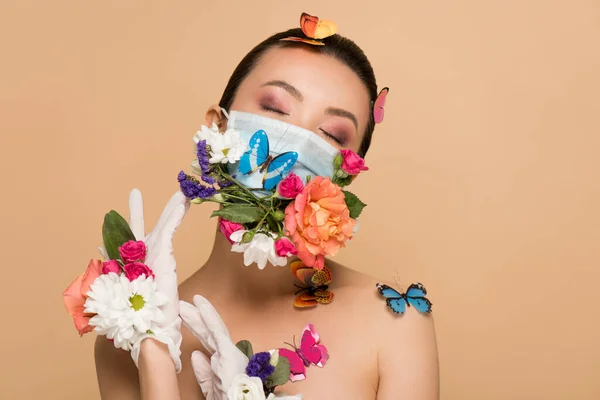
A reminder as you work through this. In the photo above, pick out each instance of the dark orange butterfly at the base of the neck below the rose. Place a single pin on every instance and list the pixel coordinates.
(317, 285)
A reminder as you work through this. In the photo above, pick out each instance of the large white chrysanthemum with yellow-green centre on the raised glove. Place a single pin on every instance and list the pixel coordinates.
(124, 310)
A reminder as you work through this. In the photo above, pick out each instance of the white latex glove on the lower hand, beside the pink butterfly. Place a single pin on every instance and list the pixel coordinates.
(215, 375)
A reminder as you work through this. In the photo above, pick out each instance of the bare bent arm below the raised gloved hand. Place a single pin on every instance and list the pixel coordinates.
(118, 378)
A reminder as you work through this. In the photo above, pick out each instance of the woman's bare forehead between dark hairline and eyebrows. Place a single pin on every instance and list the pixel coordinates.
(323, 80)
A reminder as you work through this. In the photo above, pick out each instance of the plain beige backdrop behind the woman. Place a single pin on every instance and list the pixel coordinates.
(484, 181)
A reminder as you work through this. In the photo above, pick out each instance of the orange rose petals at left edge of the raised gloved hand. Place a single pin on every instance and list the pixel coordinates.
(75, 296)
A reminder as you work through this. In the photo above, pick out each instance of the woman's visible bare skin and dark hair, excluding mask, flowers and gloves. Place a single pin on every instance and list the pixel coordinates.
(330, 91)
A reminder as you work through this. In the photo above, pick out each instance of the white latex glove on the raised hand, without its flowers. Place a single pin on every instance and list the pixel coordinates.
(160, 259)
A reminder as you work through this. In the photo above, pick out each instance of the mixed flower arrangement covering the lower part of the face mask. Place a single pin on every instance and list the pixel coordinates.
(303, 217)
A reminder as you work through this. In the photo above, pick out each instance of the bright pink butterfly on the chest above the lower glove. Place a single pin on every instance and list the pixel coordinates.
(310, 352)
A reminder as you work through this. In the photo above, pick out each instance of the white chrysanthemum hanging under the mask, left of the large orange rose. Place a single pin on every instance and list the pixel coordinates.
(259, 250)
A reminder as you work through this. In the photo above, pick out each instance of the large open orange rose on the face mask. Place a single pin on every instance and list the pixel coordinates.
(318, 221)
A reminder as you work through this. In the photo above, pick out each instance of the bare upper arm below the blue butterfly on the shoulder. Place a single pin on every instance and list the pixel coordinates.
(408, 359)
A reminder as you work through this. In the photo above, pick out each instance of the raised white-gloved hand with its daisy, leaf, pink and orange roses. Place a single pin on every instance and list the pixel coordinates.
(132, 295)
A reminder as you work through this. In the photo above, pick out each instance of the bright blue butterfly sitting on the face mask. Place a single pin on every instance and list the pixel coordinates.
(258, 158)
